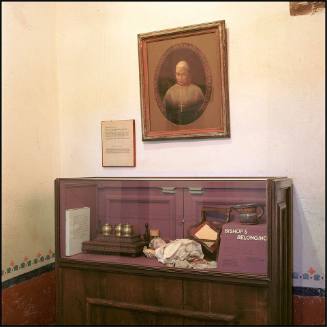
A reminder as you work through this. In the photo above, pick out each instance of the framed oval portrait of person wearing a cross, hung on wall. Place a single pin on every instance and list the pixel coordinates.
(183, 82)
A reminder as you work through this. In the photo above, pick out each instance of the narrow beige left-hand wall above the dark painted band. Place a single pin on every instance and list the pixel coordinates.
(30, 131)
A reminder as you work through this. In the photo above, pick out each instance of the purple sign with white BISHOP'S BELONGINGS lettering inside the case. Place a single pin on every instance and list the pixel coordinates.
(243, 248)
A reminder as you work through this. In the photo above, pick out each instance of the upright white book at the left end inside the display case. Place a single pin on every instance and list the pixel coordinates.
(77, 229)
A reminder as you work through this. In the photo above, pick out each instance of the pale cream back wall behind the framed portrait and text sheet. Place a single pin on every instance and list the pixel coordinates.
(276, 92)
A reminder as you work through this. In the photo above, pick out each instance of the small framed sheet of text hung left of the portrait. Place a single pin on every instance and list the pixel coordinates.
(118, 143)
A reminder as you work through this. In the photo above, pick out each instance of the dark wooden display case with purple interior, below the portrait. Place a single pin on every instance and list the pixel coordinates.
(252, 281)
